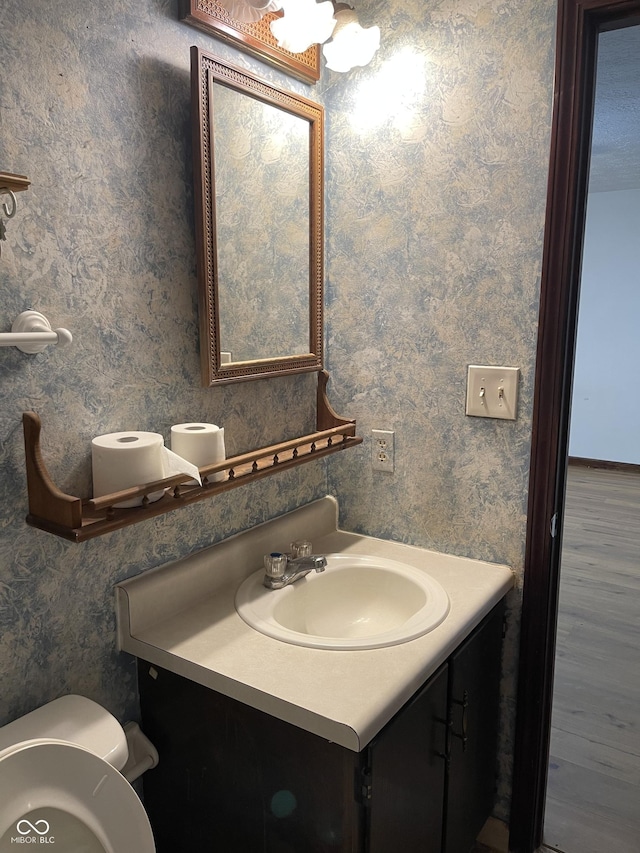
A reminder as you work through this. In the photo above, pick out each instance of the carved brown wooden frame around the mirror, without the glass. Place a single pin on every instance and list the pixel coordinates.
(205, 70)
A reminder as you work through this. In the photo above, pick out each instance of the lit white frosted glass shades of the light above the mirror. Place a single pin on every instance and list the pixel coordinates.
(307, 22)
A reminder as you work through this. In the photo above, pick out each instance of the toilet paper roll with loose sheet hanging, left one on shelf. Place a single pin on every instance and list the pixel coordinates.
(121, 460)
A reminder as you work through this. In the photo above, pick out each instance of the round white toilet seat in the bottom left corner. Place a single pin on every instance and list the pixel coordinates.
(54, 774)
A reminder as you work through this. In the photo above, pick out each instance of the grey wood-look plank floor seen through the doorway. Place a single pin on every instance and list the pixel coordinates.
(593, 795)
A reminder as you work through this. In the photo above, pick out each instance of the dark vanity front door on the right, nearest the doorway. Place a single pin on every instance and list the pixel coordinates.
(474, 706)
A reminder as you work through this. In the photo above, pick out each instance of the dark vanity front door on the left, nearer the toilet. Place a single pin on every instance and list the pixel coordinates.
(407, 774)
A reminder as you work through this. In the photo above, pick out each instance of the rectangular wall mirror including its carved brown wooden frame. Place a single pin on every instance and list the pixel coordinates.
(258, 167)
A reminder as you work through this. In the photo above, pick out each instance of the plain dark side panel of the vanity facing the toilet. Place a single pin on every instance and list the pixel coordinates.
(234, 779)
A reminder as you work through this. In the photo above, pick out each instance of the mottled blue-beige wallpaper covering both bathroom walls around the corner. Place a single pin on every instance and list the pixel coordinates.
(437, 158)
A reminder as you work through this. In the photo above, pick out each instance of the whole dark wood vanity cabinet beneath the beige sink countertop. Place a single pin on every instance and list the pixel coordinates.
(233, 778)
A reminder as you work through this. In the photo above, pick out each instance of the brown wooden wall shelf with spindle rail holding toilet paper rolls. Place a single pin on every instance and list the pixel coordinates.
(79, 519)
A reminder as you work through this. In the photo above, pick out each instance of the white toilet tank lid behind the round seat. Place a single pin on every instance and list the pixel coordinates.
(75, 719)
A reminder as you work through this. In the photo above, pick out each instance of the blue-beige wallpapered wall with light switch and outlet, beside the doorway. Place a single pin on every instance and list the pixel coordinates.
(437, 165)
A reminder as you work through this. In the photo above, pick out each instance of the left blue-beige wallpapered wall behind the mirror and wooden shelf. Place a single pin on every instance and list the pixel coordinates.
(95, 110)
